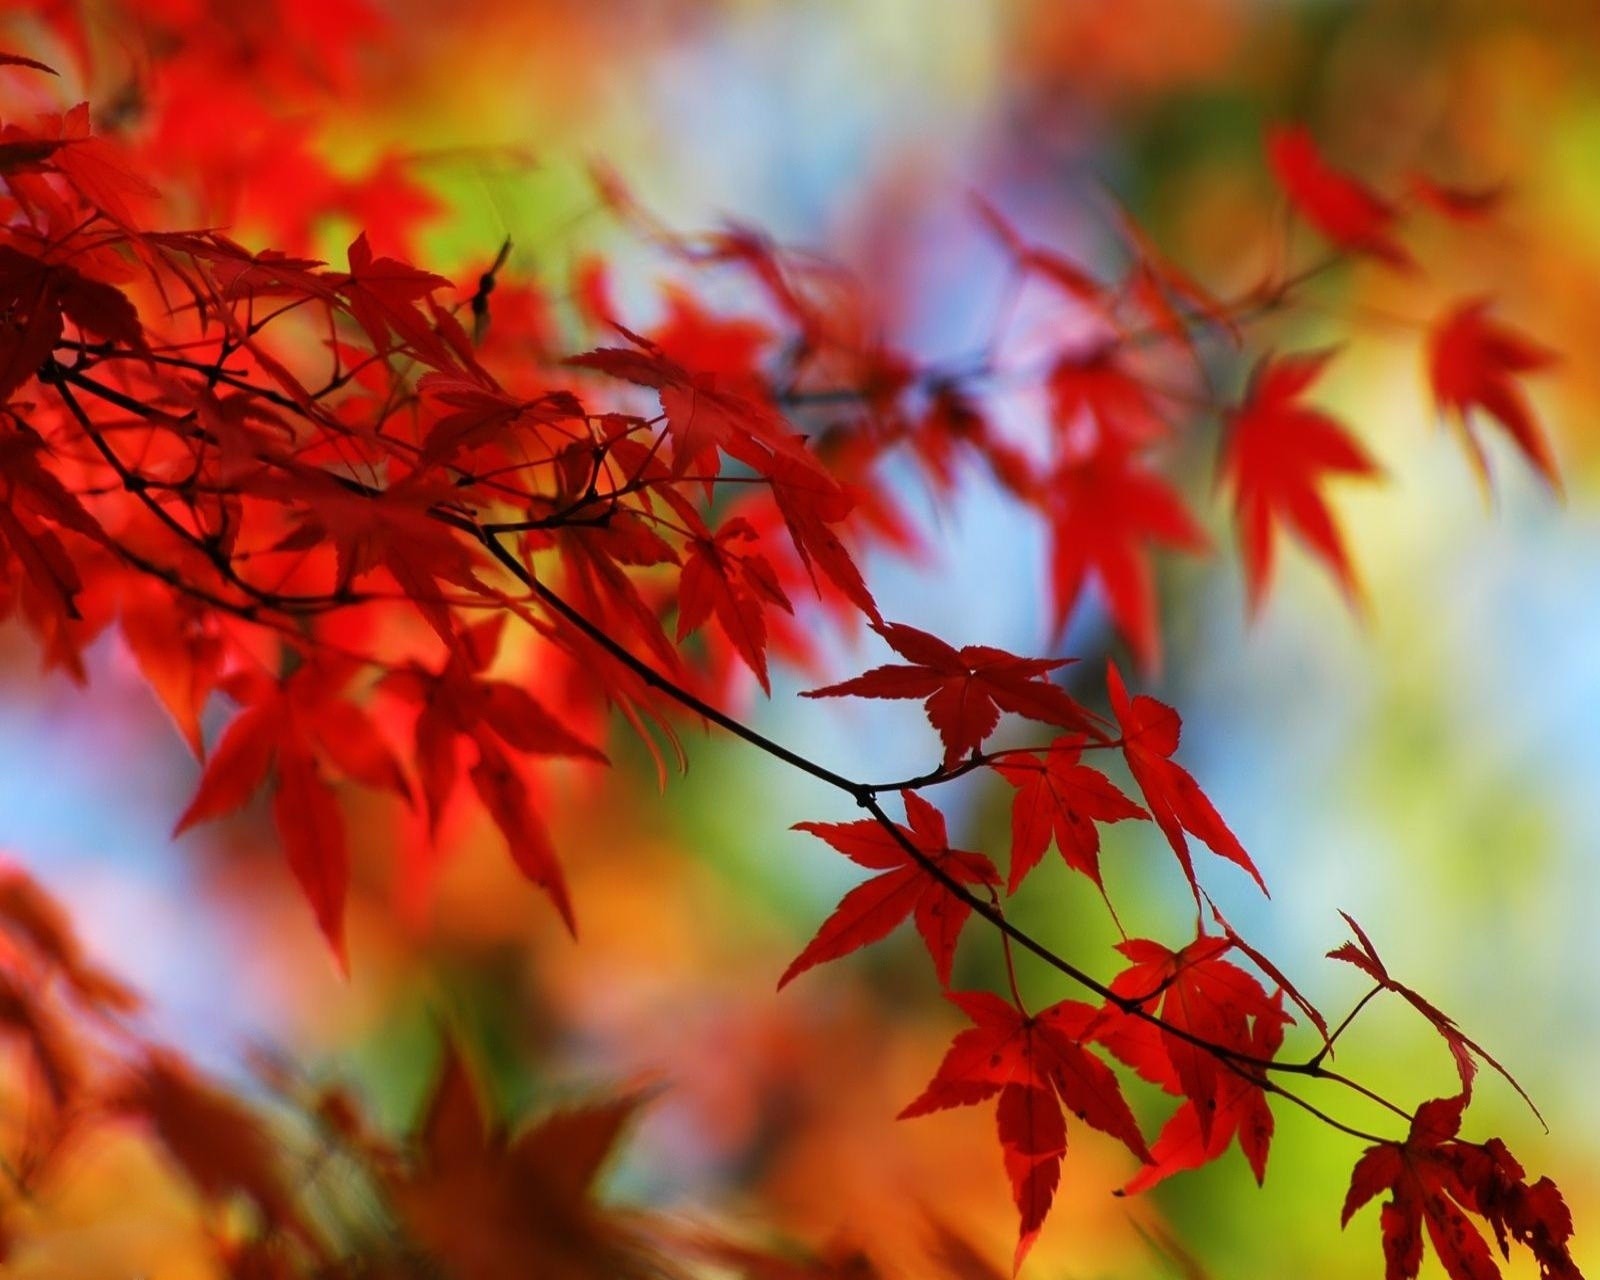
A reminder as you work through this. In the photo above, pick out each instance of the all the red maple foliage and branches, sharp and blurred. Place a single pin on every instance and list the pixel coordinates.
(426, 542)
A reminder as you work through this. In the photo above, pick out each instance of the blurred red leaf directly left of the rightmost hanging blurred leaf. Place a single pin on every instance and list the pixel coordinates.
(1276, 455)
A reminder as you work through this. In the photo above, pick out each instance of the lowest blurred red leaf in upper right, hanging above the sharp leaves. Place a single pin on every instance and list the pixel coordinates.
(1106, 511)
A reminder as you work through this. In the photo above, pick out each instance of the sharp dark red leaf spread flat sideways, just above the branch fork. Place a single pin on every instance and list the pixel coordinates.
(966, 689)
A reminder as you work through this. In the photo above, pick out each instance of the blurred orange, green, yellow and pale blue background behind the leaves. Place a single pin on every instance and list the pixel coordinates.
(1433, 769)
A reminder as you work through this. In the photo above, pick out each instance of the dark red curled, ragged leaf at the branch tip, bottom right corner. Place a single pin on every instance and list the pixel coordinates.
(1434, 1180)
